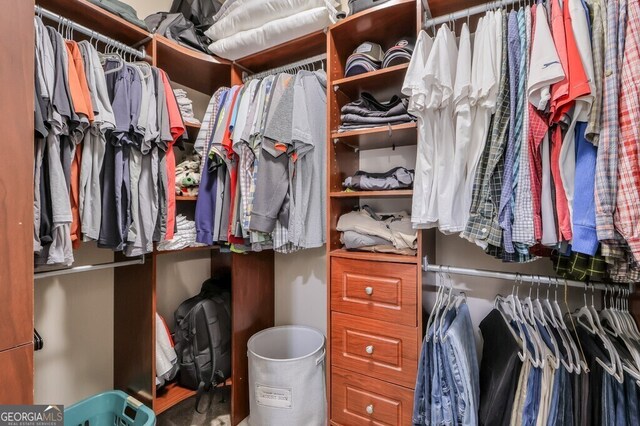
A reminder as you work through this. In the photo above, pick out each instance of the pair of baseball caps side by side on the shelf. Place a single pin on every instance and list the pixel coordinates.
(369, 57)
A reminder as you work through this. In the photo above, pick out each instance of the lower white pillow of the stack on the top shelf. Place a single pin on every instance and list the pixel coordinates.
(271, 34)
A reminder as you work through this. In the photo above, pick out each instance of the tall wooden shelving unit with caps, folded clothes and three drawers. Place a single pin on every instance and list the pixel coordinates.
(375, 296)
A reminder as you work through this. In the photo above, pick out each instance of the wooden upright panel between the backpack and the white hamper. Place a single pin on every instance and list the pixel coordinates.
(252, 310)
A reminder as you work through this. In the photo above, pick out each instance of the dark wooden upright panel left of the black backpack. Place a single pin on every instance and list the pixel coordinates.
(134, 306)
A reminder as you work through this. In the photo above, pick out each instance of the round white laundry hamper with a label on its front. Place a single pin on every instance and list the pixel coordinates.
(287, 377)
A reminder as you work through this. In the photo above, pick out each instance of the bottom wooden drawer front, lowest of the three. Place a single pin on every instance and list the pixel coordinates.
(359, 400)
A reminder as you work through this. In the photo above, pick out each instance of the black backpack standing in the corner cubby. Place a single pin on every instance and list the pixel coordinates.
(203, 337)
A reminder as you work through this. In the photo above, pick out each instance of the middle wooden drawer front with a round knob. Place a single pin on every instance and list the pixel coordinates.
(375, 348)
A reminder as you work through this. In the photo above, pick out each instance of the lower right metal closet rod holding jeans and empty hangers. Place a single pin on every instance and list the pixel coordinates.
(507, 276)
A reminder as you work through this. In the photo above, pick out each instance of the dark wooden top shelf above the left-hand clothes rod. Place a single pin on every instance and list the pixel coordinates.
(96, 18)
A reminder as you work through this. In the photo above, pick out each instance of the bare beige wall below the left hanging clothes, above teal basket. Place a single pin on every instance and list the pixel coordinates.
(74, 316)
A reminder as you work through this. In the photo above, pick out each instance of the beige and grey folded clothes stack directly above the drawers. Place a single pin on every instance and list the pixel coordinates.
(365, 230)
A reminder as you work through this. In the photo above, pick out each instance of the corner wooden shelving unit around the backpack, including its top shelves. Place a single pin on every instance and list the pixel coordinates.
(135, 288)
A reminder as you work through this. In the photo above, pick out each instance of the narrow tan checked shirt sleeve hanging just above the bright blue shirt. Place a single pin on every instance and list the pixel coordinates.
(598, 25)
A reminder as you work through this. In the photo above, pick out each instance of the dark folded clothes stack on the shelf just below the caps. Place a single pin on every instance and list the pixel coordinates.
(368, 112)
